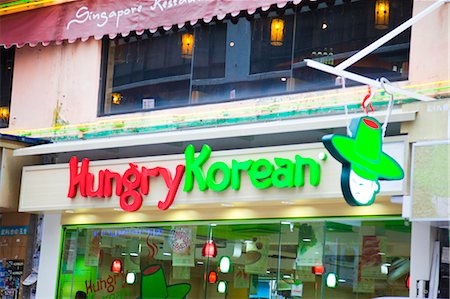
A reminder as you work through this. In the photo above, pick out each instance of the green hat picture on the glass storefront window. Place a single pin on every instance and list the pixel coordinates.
(153, 285)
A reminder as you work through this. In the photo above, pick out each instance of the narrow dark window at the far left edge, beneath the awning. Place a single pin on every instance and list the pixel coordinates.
(6, 71)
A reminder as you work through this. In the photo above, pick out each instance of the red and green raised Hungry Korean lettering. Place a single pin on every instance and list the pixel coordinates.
(135, 182)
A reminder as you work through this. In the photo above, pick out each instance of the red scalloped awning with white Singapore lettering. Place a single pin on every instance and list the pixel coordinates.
(96, 18)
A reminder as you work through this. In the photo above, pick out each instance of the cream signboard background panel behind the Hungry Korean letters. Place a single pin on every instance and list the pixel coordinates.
(46, 187)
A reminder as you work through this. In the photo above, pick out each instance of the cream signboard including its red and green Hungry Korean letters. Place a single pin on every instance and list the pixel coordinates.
(249, 176)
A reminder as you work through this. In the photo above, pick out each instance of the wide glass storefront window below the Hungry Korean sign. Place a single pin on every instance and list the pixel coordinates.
(274, 260)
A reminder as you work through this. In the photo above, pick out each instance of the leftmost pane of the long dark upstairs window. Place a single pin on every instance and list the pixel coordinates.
(147, 72)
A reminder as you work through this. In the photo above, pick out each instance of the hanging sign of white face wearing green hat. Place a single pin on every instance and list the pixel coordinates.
(363, 161)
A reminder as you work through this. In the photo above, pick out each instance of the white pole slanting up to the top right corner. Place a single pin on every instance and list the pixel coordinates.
(378, 43)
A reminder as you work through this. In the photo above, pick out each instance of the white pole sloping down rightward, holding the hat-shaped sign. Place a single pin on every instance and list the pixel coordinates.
(364, 80)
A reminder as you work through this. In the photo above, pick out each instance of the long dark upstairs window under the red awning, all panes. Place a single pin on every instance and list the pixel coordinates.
(251, 56)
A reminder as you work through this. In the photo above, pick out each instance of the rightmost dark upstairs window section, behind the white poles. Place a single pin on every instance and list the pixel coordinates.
(332, 34)
